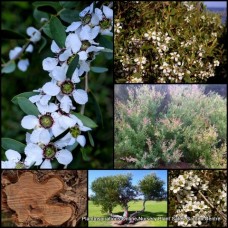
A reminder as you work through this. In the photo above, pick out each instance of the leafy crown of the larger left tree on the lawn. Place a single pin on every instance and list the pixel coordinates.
(112, 191)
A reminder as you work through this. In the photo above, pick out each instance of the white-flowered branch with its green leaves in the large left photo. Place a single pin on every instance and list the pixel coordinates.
(55, 118)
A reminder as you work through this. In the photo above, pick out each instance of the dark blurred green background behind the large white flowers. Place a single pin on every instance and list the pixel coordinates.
(17, 16)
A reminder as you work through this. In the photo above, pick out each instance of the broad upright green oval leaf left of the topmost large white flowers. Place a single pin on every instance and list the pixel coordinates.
(58, 31)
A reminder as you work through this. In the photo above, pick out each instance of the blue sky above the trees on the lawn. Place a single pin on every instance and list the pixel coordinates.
(137, 175)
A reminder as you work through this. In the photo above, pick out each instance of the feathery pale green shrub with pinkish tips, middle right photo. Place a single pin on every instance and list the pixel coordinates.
(181, 125)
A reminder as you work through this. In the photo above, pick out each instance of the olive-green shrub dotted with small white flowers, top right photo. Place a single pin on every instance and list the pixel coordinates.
(166, 42)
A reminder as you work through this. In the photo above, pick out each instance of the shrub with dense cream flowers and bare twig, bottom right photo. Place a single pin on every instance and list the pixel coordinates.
(198, 198)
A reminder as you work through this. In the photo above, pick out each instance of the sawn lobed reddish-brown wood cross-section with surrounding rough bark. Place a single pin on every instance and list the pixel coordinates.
(45, 198)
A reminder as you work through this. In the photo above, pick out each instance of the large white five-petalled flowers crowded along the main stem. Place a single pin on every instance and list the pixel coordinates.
(54, 100)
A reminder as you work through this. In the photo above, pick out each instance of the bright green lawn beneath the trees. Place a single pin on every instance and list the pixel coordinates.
(153, 210)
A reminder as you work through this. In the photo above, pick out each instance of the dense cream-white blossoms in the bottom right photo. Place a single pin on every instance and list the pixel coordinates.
(193, 206)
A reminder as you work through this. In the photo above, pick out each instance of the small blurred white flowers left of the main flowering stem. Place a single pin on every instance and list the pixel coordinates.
(35, 36)
